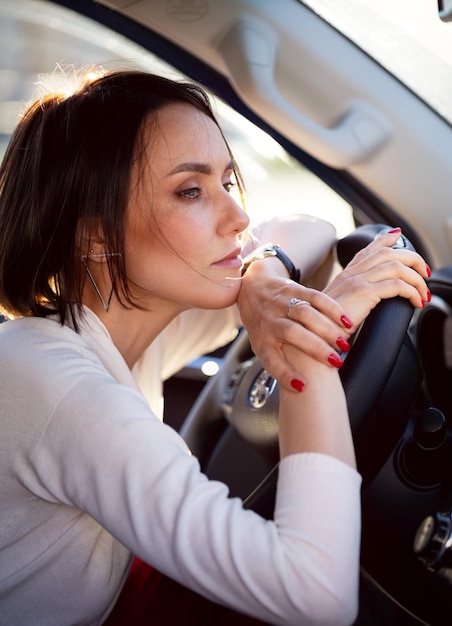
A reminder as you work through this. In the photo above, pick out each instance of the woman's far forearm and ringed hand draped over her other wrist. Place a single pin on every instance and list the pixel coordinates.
(266, 291)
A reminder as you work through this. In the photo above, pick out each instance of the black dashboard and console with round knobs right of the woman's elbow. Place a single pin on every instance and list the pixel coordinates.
(407, 489)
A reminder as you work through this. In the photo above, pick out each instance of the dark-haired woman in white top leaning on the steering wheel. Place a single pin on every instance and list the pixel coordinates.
(118, 232)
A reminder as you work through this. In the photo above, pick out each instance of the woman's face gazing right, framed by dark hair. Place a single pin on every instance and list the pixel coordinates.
(184, 230)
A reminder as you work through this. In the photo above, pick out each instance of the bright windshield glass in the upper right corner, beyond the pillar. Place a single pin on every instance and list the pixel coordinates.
(407, 37)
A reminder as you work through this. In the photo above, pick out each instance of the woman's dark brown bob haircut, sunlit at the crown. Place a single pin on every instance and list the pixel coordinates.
(68, 163)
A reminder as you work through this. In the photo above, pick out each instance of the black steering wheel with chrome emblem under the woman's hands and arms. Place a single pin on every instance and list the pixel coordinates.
(237, 411)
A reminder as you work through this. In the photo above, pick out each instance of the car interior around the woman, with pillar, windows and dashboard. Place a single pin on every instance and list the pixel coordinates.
(341, 109)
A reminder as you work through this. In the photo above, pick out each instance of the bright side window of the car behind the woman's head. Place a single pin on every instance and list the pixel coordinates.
(42, 43)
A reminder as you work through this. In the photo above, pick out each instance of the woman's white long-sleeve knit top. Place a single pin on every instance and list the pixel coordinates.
(90, 476)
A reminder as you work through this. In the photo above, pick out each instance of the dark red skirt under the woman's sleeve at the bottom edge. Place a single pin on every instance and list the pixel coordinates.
(151, 599)
